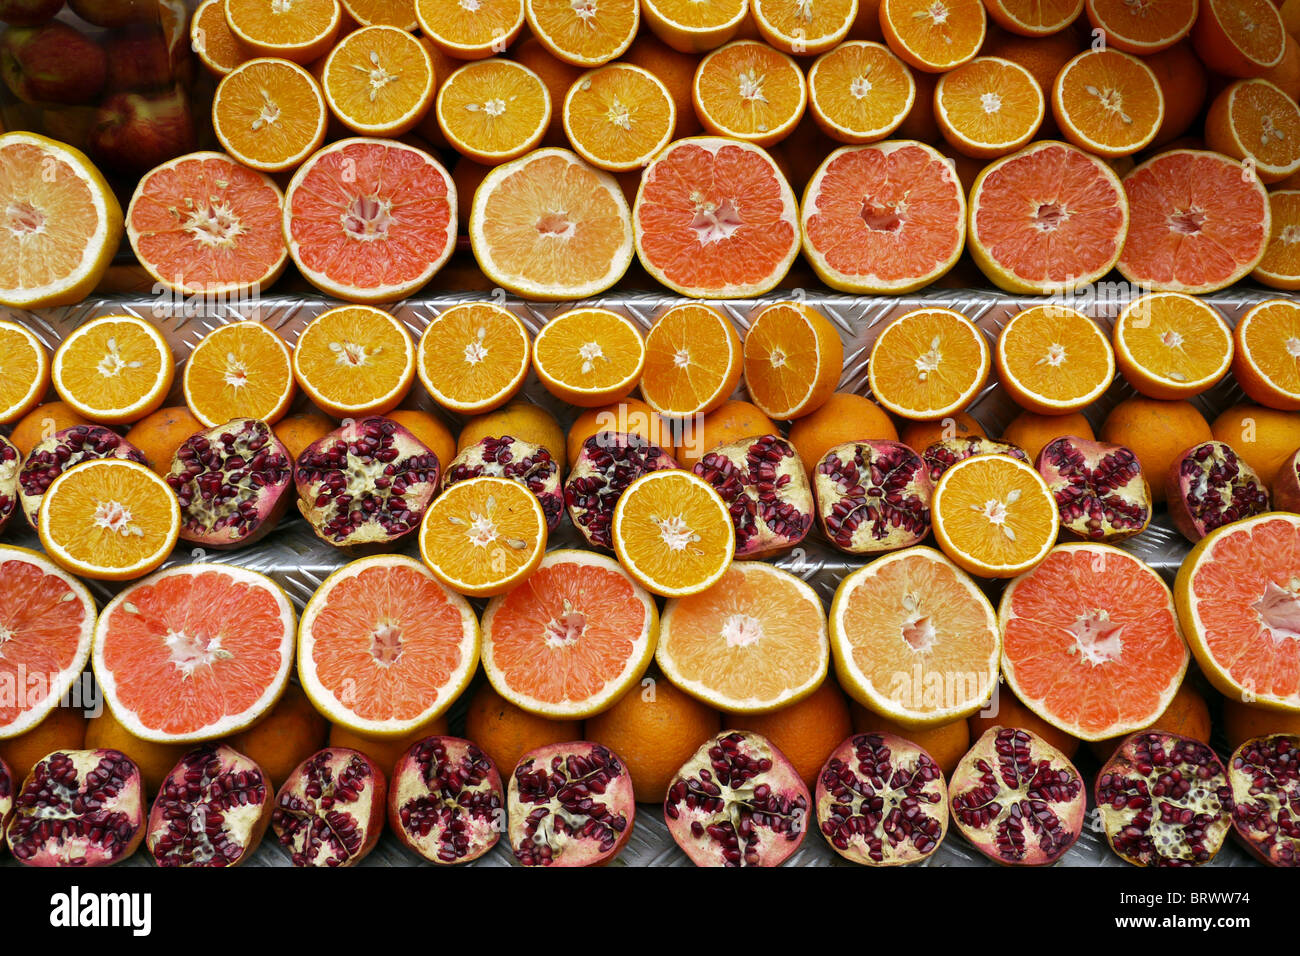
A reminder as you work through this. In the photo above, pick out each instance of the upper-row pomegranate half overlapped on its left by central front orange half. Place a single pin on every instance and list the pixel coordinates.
(766, 488)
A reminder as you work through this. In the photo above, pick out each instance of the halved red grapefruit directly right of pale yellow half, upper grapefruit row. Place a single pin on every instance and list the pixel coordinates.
(716, 218)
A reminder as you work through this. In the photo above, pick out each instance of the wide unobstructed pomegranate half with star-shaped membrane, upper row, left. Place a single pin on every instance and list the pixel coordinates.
(367, 483)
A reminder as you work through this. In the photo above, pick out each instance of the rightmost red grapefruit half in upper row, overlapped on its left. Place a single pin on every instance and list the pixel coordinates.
(1201, 222)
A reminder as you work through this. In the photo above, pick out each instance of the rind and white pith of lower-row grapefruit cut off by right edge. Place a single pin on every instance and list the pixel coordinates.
(1189, 612)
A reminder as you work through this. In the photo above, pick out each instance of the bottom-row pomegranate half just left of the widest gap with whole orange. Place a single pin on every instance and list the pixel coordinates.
(570, 806)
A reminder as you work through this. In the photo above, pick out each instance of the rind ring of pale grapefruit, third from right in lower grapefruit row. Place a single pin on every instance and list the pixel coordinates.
(857, 684)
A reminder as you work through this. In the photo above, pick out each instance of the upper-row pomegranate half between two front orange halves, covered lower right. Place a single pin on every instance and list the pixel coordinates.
(608, 465)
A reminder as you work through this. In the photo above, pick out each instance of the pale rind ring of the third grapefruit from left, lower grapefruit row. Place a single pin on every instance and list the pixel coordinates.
(328, 703)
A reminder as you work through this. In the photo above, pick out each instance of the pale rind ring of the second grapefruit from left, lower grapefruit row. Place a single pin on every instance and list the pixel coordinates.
(232, 724)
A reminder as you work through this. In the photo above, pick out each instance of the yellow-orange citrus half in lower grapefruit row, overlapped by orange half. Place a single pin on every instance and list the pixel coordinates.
(753, 643)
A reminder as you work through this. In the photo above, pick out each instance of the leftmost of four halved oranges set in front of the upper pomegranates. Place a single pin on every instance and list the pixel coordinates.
(110, 520)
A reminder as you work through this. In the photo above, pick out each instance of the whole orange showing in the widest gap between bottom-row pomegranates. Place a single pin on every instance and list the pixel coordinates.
(655, 734)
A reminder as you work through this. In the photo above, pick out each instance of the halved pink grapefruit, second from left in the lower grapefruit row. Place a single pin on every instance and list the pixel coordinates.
(196, 652)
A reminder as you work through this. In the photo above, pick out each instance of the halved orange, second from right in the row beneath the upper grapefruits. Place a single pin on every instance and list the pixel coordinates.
(1172, 345)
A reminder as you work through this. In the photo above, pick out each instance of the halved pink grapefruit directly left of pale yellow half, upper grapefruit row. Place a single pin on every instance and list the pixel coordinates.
(371, 220)
